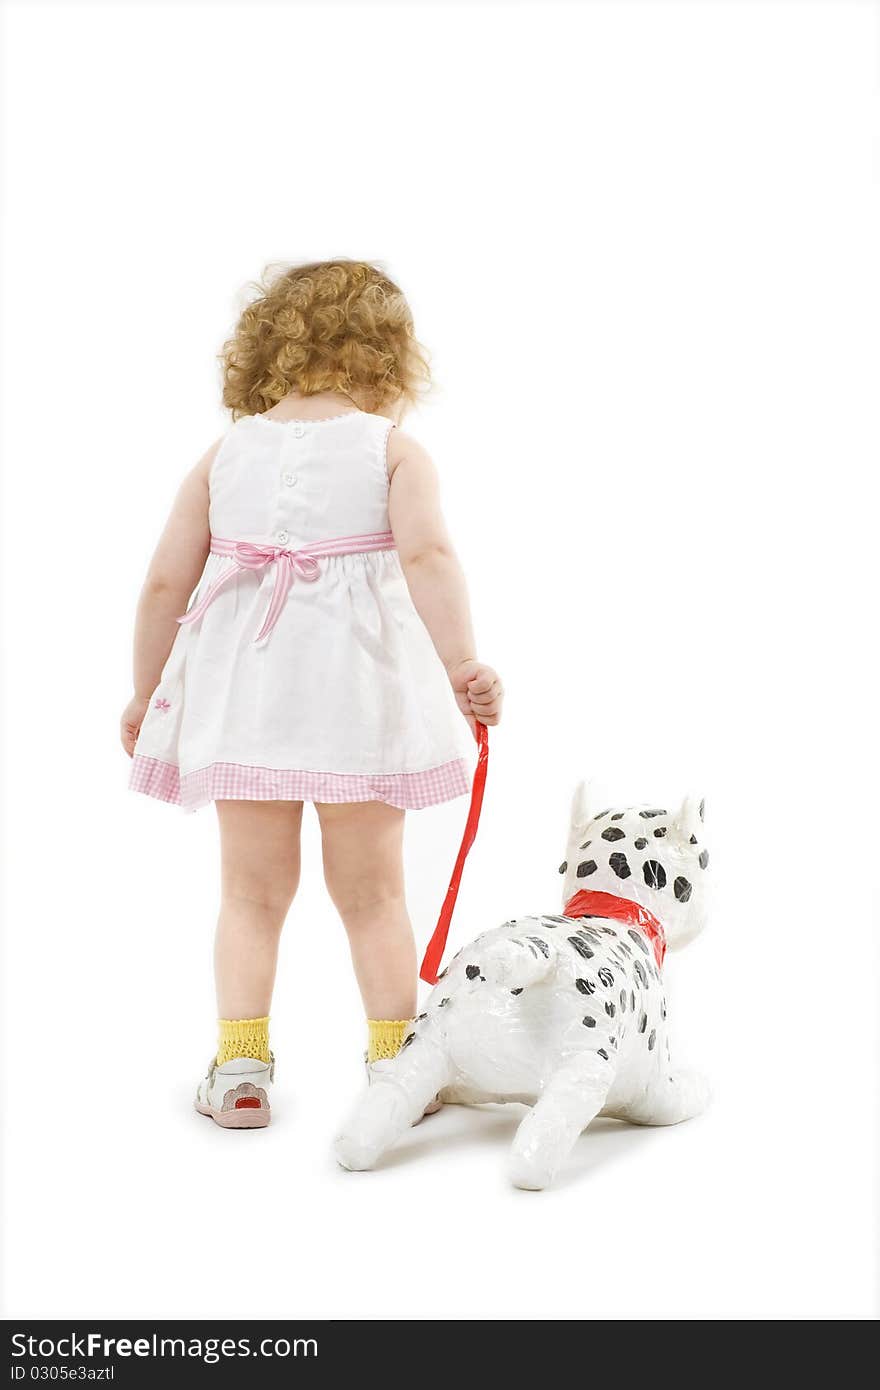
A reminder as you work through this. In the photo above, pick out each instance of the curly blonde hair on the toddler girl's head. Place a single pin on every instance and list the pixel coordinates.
(332, 326)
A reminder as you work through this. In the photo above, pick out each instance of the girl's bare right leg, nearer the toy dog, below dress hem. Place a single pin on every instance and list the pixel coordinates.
(364, 867)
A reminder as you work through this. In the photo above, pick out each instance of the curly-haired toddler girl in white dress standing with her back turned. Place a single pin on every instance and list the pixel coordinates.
(323, 655)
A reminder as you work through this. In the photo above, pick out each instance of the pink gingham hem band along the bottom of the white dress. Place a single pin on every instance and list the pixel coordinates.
(230, 782)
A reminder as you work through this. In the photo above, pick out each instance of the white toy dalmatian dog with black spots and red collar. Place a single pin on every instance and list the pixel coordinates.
(567, 1014)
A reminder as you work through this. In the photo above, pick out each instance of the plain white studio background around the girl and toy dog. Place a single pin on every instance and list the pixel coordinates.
(642, 244)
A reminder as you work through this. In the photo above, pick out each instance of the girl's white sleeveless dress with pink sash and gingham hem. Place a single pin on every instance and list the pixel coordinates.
(345, 700)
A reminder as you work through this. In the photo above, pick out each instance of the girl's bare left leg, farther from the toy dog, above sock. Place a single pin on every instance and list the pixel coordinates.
(259, 844)
